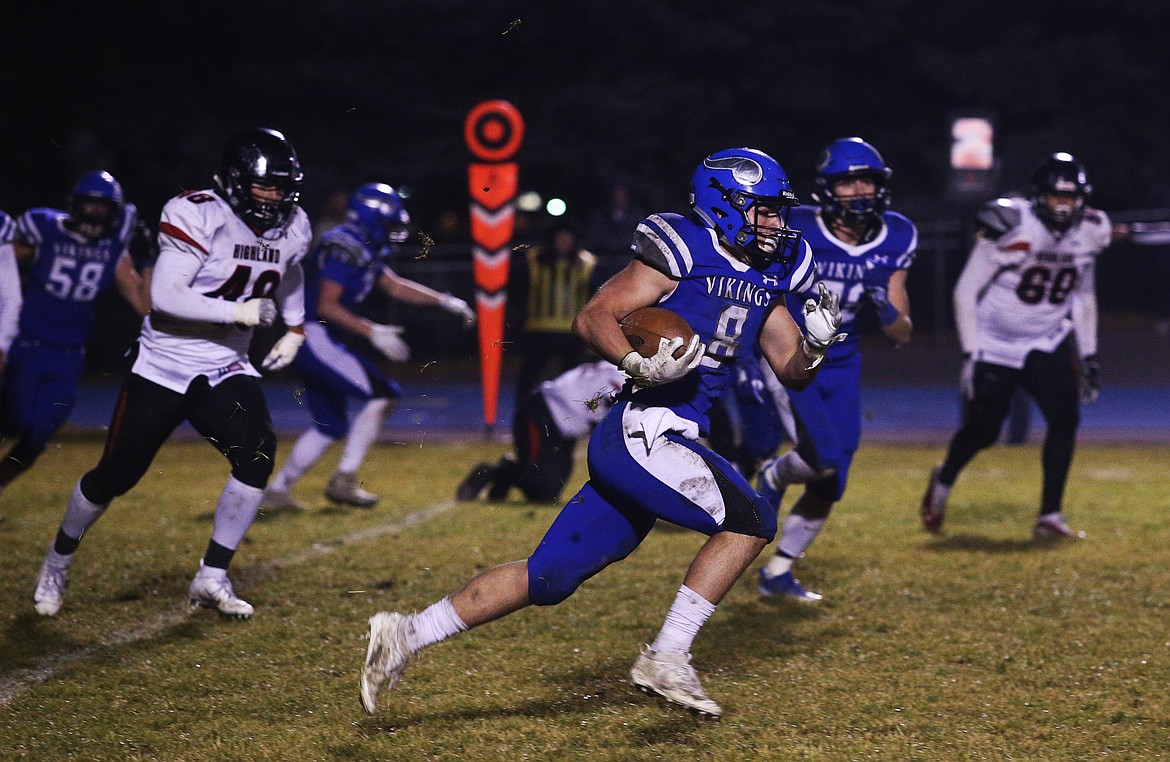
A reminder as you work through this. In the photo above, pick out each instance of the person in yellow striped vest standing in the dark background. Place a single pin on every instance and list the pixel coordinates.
(552, 285)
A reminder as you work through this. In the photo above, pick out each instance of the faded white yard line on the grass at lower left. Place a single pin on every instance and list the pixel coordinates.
(13, 685)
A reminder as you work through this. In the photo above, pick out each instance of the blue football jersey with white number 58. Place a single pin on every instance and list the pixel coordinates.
(68, 274)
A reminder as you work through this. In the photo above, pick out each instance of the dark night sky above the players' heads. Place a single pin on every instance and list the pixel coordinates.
(369, 90)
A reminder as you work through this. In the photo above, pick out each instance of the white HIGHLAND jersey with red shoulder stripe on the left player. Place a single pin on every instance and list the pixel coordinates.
(232, 264)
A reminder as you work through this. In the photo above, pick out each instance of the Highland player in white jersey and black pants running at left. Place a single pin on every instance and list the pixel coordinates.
(230, 259)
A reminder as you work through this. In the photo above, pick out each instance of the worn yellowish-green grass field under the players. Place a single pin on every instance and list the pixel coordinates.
(978, 646)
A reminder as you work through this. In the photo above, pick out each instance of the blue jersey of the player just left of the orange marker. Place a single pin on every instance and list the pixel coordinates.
(342, 257)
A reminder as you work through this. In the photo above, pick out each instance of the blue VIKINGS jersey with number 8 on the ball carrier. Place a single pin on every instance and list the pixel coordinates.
(724, 300)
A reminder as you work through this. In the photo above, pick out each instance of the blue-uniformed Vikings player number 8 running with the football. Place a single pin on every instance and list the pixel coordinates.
(725, 270)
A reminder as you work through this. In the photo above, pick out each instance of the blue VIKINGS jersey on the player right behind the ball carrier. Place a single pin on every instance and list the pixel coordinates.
(844, 267)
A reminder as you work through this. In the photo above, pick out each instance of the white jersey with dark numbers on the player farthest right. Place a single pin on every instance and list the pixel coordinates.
(1026, 279)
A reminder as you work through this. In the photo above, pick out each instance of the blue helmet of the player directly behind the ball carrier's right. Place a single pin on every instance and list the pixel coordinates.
(848, 159)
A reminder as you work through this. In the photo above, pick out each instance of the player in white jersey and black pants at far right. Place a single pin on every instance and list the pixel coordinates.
(1027, 312)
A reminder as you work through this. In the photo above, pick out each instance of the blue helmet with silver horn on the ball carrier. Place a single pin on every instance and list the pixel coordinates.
(728, 186)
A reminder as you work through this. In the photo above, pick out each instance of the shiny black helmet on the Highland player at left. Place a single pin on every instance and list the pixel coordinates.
(260, 156)
